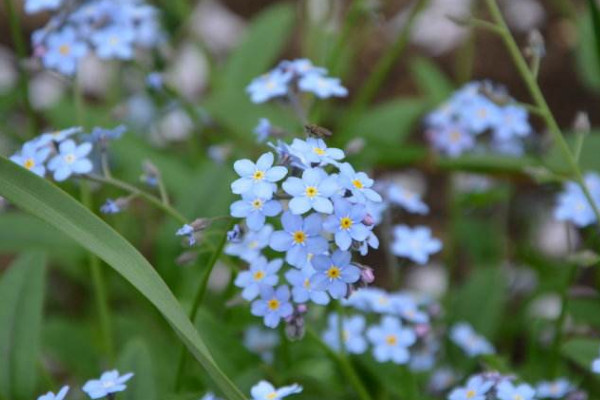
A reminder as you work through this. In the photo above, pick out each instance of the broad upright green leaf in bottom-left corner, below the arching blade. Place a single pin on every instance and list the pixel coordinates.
(21, 301)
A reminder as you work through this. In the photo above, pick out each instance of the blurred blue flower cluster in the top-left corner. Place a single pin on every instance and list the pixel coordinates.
(109, 28)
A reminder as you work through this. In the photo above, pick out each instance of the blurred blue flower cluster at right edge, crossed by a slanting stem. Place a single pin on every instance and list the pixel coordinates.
(572, 204)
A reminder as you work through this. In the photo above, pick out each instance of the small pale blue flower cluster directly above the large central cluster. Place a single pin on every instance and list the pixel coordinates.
(291, 77)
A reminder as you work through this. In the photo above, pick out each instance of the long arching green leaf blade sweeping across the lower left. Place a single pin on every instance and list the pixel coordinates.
(41, 198)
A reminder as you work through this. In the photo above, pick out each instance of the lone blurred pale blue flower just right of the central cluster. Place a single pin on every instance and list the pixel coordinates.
(416, 244)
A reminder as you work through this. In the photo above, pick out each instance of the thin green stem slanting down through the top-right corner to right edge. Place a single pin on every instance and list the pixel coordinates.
(540, 101)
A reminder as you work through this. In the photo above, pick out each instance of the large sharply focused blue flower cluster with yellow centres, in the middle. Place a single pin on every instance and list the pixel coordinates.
(322, 205)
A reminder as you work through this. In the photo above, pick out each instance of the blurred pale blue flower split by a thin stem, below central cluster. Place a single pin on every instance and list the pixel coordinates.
(353, 330)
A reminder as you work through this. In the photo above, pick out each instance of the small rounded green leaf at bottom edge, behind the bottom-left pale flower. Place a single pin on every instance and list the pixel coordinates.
(136, 358)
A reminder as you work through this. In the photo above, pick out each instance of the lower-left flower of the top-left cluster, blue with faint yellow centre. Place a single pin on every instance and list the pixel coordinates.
(64, 50)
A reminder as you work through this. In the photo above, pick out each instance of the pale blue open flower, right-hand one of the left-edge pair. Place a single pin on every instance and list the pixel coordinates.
(71, 159)
